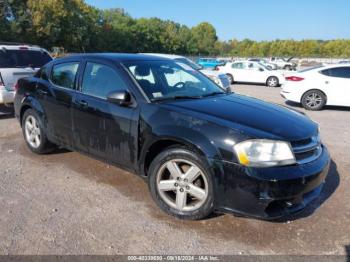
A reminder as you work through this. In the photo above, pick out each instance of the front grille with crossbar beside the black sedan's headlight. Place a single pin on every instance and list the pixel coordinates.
(307, 150)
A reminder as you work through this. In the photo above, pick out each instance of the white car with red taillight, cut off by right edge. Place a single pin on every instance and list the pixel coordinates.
(319, 86)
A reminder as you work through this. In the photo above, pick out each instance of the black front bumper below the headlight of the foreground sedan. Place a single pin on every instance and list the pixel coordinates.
(268, 193)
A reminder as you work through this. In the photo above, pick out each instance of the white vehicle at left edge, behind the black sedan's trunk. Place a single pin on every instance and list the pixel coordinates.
(16, 61)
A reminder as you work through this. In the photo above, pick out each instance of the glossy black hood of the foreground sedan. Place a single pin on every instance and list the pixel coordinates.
(250, 116)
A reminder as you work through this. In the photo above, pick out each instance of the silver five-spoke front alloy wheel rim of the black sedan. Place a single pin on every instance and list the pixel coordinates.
(182, 185)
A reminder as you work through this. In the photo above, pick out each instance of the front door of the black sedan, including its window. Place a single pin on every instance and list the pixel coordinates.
(101, 128)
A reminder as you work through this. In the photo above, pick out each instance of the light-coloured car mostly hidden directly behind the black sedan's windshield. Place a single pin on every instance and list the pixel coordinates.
(219, 78)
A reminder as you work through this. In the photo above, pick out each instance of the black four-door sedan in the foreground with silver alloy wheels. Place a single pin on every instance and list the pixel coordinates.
(201, 148)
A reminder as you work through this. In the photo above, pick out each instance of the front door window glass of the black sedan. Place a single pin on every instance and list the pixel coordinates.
(99, 80)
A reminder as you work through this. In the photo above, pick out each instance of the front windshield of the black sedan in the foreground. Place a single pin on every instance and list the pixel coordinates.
(163, 80)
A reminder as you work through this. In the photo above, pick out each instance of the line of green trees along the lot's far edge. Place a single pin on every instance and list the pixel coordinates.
(79, 27)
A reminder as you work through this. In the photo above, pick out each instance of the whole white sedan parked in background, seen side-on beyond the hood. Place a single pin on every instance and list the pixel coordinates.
(251, 72)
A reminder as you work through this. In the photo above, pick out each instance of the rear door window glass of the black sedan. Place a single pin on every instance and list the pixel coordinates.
(64, 74)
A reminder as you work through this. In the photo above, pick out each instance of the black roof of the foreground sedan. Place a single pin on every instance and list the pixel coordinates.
(115, 57)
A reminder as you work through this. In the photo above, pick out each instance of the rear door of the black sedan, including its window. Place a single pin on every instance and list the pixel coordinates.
(55, 90)
